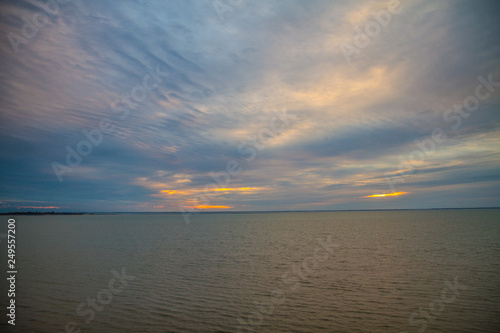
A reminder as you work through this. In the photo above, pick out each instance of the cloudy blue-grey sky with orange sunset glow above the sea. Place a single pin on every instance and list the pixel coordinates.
(237, 105)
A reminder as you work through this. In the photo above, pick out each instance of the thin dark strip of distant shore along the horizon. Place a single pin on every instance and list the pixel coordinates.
(241, 212)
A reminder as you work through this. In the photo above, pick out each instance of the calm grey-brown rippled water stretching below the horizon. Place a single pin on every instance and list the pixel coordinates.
(395, 271)
